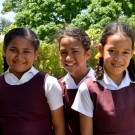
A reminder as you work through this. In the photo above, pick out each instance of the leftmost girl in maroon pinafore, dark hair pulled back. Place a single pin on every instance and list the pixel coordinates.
(27, 97)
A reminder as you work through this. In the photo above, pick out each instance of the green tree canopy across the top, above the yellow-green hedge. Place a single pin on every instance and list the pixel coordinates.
(46, 17)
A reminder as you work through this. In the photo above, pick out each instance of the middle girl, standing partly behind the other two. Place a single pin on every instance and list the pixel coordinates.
(74, 47)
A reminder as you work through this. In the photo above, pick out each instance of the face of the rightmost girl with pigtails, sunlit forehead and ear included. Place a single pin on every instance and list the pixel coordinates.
(116, 54)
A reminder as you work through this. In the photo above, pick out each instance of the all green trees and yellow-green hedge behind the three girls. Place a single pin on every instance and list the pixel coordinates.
(47, 17)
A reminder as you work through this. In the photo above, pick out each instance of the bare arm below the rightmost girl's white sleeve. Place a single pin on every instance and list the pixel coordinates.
(86, 125)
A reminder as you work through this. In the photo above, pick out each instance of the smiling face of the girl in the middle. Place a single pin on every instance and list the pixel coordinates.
(73, 56)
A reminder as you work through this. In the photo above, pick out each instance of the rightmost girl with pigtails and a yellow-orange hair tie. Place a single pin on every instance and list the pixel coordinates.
(106, 102)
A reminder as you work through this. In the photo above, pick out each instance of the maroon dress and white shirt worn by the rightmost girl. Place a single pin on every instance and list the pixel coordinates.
(112, 107)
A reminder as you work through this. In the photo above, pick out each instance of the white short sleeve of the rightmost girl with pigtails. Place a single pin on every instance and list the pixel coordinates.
(83, 102)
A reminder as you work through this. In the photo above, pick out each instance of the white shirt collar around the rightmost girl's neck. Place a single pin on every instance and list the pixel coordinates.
(108, 83)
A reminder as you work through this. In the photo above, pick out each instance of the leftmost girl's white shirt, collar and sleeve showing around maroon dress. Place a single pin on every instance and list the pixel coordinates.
(51, 86)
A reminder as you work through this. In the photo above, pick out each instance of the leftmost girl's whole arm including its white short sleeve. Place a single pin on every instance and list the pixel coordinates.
(55, 101)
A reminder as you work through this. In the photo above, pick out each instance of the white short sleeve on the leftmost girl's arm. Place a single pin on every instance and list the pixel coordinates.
(53, 93)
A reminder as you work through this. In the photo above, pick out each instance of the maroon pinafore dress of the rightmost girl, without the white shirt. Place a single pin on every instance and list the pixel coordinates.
(114, 110)
